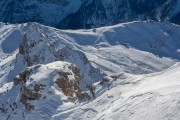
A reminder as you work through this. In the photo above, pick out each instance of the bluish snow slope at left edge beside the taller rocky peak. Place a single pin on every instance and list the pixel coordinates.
(10, 37)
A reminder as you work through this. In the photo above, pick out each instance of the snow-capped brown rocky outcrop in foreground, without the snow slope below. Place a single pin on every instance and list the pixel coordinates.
(65, 75)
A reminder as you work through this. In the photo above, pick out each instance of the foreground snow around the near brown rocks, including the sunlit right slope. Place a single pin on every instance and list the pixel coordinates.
(131, 97)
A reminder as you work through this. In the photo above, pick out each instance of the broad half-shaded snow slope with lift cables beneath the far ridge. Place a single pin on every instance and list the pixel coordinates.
(111, 47)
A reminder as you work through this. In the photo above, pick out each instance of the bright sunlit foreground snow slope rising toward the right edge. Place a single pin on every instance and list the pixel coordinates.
(151, 97)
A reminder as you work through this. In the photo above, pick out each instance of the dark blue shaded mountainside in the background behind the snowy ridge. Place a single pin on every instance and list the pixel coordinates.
(75, 14)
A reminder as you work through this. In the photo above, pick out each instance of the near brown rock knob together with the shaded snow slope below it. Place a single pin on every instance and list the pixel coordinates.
(37, 89)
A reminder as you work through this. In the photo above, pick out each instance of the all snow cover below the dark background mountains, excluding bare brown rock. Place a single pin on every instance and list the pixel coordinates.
(150, 91)
